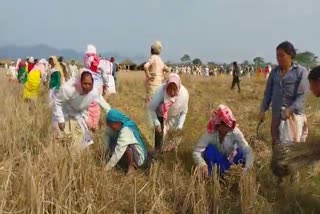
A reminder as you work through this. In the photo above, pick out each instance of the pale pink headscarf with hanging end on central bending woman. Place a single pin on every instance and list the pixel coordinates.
(169, 101)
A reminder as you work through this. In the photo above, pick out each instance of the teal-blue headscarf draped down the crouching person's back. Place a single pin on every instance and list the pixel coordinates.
(115, 116)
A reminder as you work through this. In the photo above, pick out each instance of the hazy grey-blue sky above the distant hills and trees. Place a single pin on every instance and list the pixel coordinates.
(217, 30)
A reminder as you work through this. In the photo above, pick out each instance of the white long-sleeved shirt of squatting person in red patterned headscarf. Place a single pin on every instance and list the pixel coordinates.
(232, 139)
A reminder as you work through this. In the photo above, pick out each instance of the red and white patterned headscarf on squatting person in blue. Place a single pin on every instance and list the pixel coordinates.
(222, 114)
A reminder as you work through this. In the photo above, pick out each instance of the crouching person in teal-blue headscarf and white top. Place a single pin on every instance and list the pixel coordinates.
(124, 142)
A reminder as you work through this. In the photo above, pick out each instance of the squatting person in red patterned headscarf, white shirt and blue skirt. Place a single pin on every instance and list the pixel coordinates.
(223, 145)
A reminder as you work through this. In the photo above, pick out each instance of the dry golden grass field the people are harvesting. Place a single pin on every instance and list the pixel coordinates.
(40, 176)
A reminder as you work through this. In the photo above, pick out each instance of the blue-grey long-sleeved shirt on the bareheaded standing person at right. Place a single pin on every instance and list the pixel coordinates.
(288, 91)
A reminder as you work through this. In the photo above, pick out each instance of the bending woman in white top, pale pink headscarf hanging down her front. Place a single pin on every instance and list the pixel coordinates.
(168, 109)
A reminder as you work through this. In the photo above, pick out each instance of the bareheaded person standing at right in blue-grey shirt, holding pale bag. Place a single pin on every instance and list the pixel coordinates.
(286, 89)
